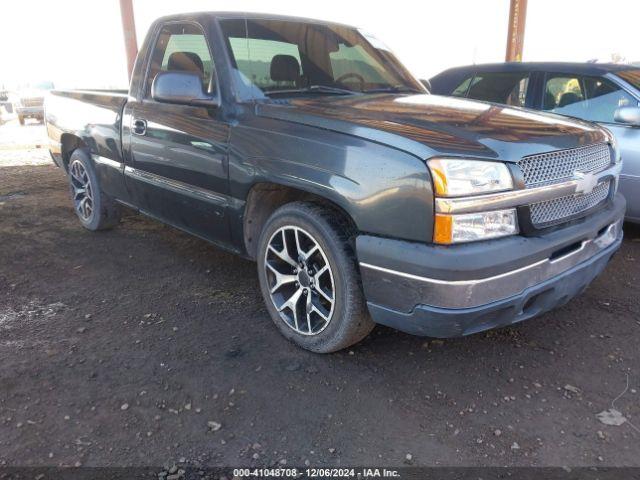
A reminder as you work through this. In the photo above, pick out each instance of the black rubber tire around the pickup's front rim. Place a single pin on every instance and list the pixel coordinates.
(350, 321)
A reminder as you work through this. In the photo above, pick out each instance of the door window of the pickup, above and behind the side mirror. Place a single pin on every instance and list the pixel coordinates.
(182, 48)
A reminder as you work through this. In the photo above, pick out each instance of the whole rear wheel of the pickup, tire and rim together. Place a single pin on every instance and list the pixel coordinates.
(95, 209)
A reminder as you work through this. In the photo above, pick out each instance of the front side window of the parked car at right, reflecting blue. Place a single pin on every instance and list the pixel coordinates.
(591, 98)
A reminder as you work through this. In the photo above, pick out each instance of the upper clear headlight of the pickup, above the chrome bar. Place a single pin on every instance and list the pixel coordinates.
(454, 177)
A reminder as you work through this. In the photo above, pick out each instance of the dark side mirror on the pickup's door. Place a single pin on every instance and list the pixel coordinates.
(184, 88)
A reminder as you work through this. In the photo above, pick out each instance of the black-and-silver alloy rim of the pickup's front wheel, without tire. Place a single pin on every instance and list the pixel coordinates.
(300, 280)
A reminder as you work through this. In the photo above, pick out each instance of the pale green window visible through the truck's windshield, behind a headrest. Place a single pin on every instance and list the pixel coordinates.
(269, 64)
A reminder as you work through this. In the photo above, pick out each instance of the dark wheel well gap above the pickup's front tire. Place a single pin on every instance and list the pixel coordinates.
(265, 198)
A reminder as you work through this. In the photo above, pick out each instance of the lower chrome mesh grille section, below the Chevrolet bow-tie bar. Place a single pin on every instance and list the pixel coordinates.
(550, 211)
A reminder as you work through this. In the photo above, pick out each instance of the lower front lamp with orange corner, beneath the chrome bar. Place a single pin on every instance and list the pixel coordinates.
(474, 226)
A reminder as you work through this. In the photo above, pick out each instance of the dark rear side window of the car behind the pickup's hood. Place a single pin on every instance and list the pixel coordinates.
(509, 88)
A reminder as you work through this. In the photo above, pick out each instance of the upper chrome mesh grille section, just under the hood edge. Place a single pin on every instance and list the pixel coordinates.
(554, 167)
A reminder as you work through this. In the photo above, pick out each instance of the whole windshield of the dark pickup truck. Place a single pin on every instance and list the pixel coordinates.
(283, 58)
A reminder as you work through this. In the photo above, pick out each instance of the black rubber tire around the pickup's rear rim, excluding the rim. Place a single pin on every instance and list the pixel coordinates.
(105, 212)
